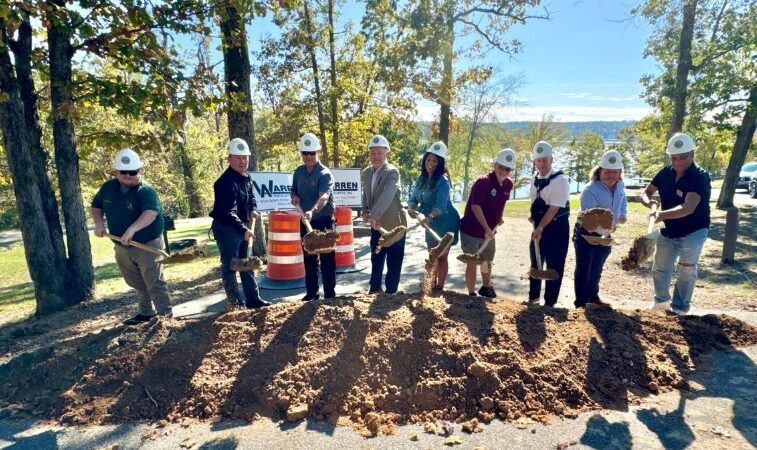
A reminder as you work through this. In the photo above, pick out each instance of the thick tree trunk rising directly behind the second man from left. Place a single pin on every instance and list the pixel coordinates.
(236, 67)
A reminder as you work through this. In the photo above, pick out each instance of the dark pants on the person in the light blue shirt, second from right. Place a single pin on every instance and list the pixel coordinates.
(590, 260)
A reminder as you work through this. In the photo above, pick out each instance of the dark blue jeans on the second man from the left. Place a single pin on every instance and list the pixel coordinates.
(231, 244)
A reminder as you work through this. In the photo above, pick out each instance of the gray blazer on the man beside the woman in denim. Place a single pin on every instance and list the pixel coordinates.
(383, 202)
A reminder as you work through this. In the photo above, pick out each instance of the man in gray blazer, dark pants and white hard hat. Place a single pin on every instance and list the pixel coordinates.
(382, 208)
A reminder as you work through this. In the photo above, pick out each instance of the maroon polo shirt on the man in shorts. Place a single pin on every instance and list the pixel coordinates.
(491, 197)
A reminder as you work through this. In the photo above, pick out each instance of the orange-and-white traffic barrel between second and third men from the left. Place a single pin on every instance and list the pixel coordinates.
(286, 268)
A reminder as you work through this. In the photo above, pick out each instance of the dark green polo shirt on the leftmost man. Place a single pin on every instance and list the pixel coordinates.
(123, 208)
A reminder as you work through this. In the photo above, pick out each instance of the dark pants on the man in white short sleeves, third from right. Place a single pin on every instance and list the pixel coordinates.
(554, 249)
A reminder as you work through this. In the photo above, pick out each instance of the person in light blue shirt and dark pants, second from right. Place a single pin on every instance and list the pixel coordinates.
(605, 190)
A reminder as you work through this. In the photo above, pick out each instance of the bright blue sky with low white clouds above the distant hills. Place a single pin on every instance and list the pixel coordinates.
(583, 64)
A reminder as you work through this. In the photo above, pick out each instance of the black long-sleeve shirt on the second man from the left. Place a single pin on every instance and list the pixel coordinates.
(234, 200)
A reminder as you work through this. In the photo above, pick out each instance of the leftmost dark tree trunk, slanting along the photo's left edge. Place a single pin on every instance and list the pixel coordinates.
(47, 268)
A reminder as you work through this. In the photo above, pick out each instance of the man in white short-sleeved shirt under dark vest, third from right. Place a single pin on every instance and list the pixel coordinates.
(550, 211)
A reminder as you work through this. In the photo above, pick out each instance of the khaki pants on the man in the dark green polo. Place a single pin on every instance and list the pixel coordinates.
(141, 272)
